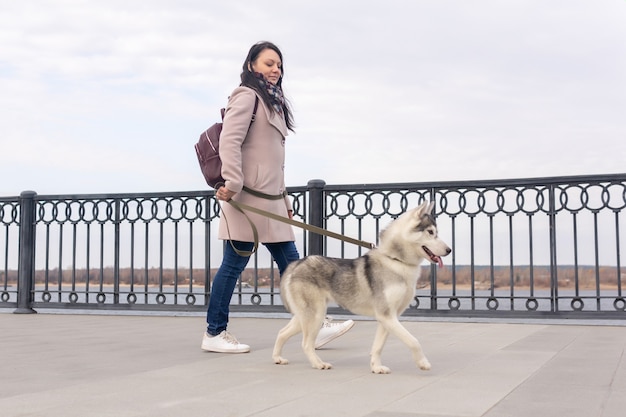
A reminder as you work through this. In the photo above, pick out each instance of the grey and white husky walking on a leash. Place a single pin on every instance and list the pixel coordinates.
(380, 283)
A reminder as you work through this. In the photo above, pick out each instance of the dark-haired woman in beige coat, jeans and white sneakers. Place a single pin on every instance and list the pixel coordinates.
(253, 160)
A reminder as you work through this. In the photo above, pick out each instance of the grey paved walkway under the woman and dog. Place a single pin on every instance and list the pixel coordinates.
(125, 366)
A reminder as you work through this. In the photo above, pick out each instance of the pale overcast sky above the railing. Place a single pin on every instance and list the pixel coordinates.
(110, 96)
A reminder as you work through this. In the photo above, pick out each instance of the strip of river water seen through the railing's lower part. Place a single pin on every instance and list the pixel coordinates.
(462, 299)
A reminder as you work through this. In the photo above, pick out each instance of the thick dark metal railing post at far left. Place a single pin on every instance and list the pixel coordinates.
(25, 274)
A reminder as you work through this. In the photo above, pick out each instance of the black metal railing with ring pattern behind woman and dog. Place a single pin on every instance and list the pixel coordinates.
(541, 247)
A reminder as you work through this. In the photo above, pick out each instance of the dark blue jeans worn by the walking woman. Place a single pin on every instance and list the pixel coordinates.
(227, 275)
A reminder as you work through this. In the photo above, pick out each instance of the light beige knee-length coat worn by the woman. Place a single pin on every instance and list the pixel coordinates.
(256, 160)
